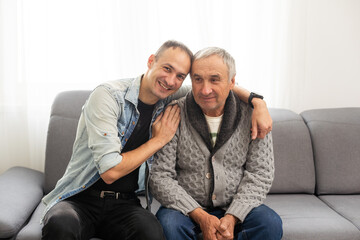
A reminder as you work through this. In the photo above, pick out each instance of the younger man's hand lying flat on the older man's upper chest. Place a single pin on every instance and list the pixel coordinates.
(165, 125)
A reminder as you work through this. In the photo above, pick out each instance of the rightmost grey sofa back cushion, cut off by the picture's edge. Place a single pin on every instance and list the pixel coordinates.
(335, 137)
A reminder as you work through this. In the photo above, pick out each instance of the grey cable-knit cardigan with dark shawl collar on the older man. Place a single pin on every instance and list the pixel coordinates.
(235, 174)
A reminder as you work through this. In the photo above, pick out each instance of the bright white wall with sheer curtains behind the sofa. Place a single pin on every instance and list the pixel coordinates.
(313, 57)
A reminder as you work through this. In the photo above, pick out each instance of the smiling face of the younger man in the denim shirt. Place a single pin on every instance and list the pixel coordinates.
(166, 73)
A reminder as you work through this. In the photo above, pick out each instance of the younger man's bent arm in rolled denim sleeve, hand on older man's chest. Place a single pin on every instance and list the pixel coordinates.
(101, 113)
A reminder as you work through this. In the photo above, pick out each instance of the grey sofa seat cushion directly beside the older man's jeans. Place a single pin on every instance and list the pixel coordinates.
(306, 217)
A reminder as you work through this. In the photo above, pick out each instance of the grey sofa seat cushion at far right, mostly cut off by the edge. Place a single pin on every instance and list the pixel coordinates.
(347, 206)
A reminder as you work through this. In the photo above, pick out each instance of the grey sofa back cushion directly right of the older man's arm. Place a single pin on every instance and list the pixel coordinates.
(294, 164)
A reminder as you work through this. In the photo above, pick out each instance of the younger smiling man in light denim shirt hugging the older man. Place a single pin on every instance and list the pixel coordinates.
(122, 124)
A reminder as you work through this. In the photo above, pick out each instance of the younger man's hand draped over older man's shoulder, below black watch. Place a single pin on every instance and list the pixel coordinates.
(261, 120)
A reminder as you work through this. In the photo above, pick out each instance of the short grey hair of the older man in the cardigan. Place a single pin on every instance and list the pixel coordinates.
(226, 57)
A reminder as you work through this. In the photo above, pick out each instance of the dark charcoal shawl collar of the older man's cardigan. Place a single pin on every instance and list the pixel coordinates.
(230, 121)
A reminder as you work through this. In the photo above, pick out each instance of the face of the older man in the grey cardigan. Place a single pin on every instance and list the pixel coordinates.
(210, 84)
